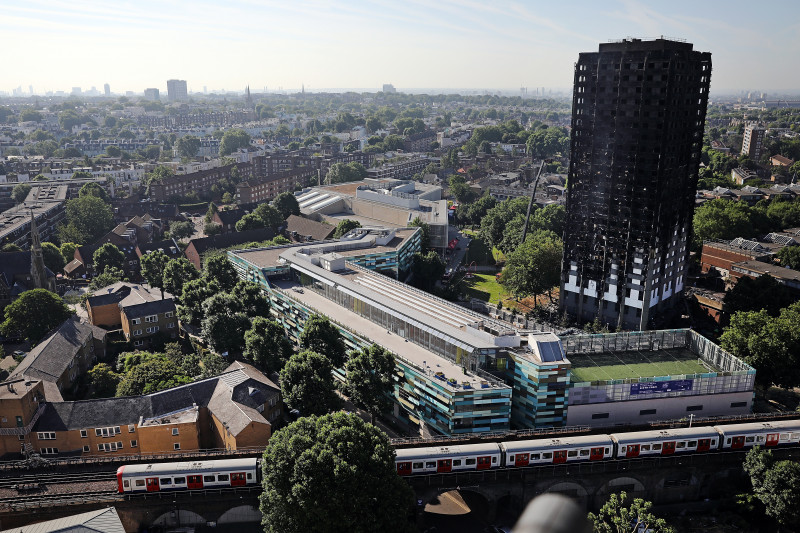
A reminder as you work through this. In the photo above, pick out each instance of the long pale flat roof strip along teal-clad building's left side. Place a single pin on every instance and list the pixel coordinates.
(419, 356)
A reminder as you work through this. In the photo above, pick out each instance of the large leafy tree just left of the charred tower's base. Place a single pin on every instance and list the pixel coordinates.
(535, 266)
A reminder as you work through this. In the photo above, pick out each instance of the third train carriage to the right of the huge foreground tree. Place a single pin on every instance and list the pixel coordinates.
(665, 442)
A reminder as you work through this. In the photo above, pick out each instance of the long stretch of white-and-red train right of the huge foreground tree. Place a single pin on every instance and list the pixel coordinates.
(620, 446)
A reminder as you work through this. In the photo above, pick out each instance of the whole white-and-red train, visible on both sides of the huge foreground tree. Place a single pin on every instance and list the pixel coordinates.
(484, 456)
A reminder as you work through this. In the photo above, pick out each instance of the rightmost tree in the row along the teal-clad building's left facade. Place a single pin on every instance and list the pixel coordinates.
(370, 380)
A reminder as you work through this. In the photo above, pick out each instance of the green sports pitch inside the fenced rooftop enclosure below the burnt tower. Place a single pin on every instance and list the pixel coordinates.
(601, 367)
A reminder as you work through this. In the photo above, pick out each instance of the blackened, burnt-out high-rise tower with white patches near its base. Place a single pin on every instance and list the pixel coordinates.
(638, 113)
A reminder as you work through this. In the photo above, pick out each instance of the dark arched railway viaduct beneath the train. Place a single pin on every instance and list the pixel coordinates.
(663, 480)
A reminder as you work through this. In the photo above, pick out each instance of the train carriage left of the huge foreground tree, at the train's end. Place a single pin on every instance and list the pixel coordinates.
(158, 477)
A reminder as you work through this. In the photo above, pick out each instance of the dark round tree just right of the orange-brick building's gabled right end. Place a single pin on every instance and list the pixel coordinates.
(307, 384)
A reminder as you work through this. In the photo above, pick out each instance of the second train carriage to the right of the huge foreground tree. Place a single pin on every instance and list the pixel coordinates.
(561, 450)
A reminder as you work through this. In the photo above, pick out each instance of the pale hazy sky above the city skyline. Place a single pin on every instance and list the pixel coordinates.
(58, 44)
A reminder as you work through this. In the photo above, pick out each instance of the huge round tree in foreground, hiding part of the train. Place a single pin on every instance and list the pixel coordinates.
(332, 473)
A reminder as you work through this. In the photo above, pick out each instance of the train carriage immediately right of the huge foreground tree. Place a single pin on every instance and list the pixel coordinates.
(443, 459)
